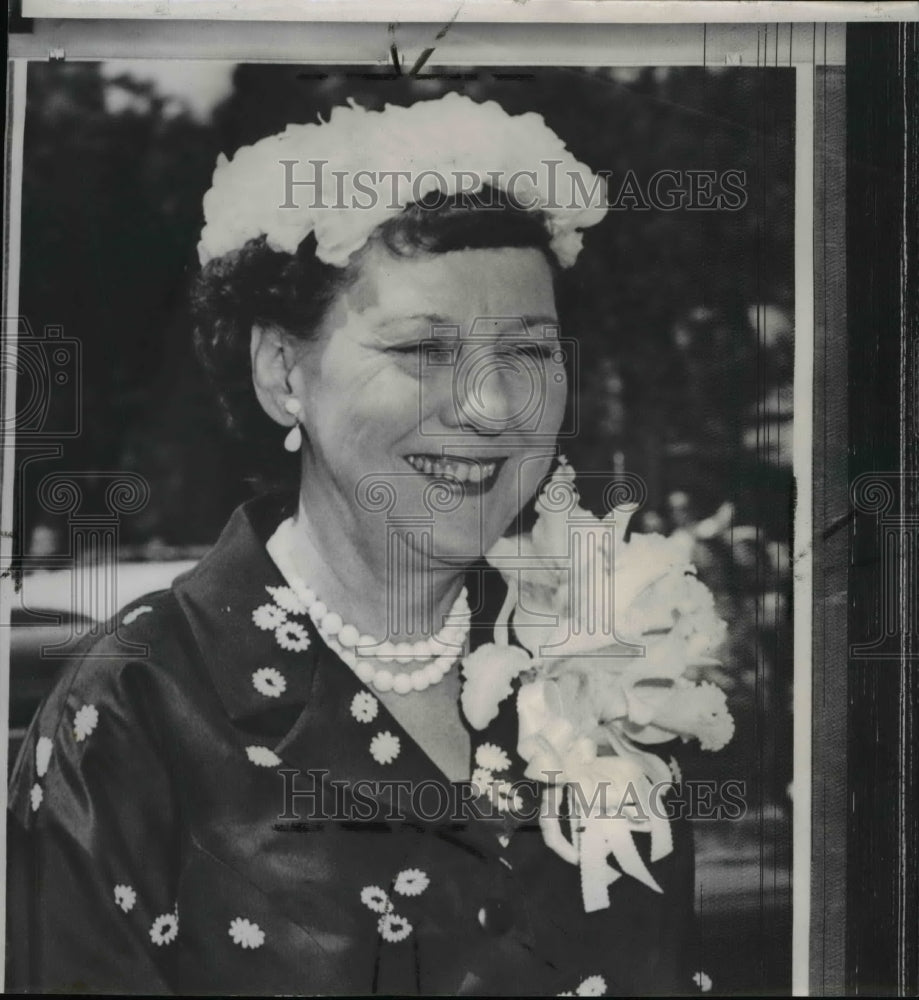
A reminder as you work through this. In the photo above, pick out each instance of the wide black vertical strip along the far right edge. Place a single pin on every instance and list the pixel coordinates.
(882, 67)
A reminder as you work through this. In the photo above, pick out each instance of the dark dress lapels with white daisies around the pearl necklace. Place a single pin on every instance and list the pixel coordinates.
(308, 706)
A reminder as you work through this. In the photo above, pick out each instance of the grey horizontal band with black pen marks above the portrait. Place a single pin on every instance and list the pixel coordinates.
(766, 44)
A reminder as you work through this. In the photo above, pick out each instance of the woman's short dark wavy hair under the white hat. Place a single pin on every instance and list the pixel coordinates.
(256, 285)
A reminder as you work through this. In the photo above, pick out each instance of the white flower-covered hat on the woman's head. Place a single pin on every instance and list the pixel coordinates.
(342, 178)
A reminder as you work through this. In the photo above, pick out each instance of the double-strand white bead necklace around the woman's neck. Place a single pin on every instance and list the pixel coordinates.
(356, 648)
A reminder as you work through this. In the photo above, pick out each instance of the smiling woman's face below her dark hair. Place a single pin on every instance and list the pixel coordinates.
(439, 375)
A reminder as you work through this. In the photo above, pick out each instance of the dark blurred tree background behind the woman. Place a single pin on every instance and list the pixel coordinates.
(683, 321)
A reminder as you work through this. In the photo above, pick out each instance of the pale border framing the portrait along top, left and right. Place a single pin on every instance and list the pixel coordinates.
(762, 45)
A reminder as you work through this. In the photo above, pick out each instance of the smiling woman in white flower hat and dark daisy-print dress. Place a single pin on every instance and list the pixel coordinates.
(409, 356)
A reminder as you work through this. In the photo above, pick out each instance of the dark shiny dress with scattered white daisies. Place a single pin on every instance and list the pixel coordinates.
(155, 845)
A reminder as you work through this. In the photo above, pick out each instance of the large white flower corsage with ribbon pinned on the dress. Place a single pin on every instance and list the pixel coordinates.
(613, 633)
